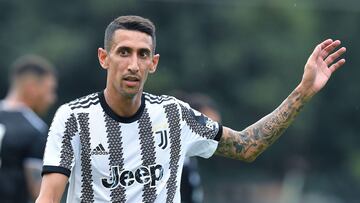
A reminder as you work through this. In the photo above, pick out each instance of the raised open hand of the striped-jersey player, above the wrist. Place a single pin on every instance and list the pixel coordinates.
(321, 64)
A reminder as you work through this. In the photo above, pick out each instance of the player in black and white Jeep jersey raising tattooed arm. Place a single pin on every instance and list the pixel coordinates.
(125, 145)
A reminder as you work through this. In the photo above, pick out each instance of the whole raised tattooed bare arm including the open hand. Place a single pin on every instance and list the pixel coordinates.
(248, 144)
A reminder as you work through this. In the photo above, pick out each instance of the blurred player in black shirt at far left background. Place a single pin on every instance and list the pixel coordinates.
(22, 133)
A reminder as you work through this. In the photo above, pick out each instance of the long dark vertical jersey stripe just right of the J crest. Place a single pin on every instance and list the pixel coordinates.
(173, 116)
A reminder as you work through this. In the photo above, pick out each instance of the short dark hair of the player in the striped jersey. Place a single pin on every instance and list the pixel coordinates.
(130, 22)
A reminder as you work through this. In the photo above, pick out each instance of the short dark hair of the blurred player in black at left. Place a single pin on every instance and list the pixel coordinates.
(31, 65)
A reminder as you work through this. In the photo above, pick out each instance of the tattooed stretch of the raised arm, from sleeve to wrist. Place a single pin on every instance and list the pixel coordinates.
(248, 144)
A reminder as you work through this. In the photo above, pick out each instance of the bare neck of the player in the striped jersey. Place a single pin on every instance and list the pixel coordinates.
(123, 106)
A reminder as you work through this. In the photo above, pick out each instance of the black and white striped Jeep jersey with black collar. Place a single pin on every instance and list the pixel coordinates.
(135, 159)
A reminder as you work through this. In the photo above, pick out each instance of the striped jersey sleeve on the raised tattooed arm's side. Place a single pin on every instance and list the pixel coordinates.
(202, 134)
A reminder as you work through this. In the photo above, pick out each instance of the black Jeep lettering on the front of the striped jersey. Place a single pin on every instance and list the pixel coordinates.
(142, 175)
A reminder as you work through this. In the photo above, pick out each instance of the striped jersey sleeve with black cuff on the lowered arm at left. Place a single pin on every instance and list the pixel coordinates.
(59, 150)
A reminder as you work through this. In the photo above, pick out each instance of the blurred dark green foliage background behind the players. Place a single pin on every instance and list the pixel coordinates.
(247, 55)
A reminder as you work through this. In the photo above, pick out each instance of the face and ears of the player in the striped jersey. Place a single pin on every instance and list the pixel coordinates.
(128, 62)
